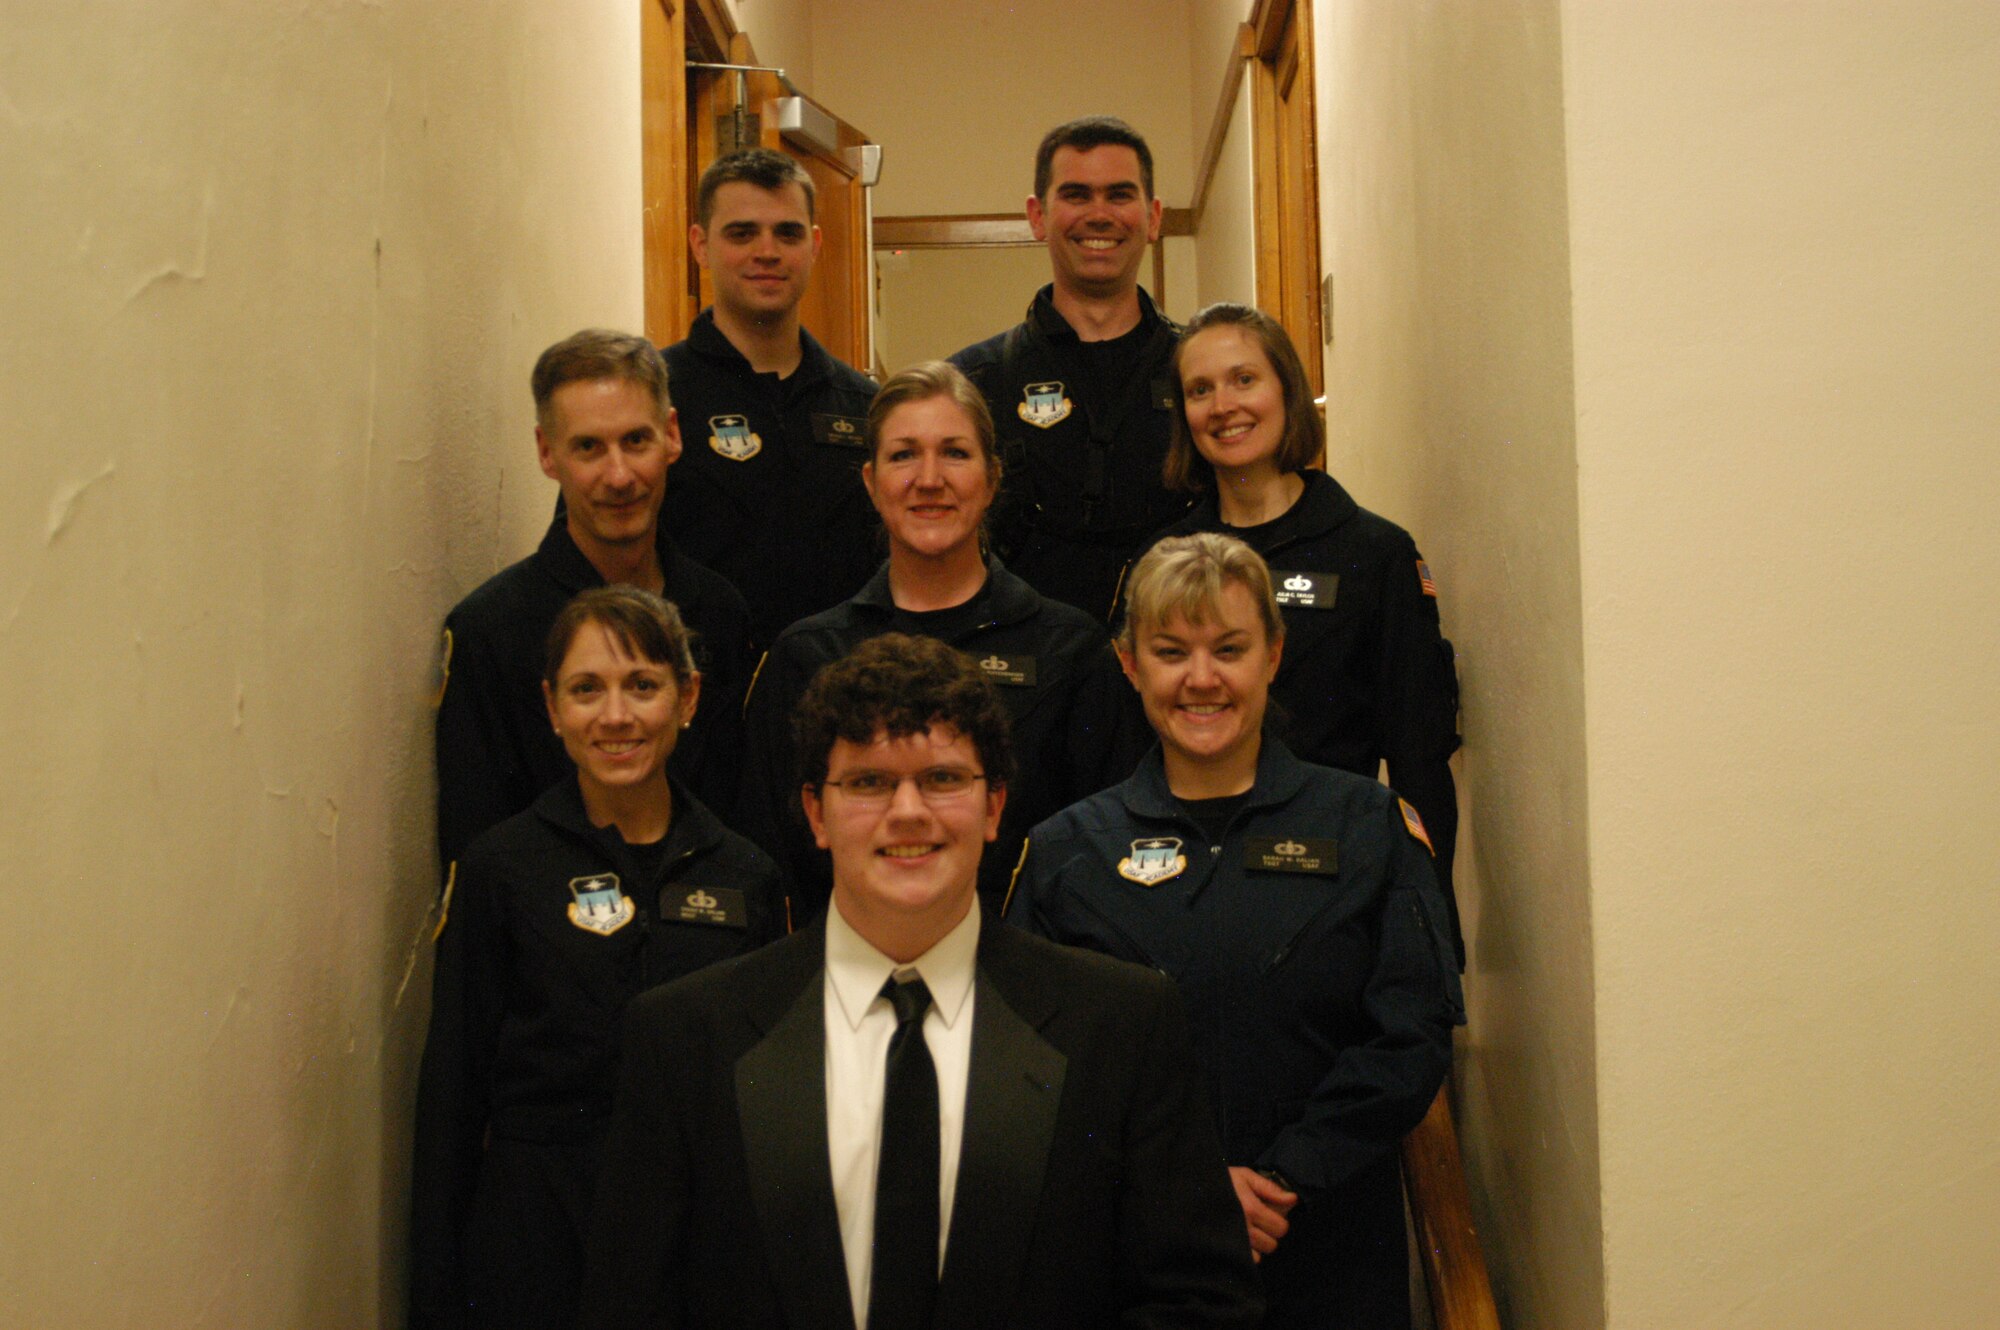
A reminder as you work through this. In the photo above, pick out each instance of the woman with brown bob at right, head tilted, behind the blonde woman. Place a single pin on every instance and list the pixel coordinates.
(1367, 671)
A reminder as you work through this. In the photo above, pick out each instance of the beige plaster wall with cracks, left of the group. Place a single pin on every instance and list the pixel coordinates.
(275, 279)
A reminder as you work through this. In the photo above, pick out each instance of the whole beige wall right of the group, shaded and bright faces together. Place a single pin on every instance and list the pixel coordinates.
(1669, 333)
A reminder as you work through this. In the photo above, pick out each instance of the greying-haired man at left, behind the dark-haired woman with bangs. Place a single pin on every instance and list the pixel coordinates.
(605, 433)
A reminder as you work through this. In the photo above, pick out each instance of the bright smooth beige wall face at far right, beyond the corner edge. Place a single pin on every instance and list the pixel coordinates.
(1787, 311)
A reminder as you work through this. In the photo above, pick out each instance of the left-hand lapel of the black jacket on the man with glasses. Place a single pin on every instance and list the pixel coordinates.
(781, 1101)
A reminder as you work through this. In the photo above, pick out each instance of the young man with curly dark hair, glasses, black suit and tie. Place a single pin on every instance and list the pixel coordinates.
(909, 1117)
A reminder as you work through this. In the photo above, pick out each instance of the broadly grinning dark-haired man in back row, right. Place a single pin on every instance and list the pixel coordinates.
(1079, 391)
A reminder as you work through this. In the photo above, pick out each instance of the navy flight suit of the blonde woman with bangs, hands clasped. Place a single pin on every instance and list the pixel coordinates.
(1309, 945)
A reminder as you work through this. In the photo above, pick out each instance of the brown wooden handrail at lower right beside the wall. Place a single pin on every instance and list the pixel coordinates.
(1441, 1209)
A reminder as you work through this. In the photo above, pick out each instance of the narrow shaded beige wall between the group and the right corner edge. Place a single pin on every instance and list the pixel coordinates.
(1451, 411)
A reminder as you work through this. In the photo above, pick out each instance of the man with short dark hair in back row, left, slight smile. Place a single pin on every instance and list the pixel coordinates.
(769, 489)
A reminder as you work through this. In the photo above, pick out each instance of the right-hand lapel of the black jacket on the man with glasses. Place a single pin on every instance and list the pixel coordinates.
(1013, 1095)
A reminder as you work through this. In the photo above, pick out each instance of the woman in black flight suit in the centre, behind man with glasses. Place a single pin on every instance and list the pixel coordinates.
(933, 475)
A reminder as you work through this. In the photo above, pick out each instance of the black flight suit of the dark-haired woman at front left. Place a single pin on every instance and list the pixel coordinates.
(535, 969)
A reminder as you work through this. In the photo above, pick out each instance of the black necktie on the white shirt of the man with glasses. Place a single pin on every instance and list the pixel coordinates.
(905, 1277)
